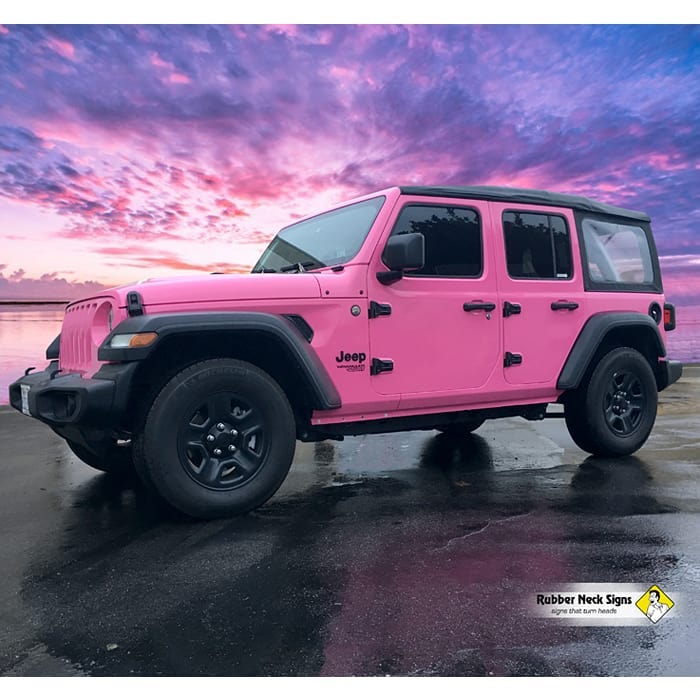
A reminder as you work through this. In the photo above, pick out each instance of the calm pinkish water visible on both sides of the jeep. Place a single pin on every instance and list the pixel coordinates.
(26, 331)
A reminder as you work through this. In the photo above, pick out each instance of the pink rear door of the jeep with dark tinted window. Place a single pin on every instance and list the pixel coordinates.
(542, 298)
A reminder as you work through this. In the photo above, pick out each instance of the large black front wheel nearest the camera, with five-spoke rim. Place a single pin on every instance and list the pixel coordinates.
(218, 439)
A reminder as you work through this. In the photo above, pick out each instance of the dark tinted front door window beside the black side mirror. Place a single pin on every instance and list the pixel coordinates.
(452, 239)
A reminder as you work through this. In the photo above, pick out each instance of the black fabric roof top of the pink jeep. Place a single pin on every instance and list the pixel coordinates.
(523, 196)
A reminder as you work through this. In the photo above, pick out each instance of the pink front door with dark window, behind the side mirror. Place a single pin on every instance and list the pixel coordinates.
(436, 330)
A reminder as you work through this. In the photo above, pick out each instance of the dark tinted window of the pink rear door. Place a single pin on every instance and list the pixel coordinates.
(537, 245)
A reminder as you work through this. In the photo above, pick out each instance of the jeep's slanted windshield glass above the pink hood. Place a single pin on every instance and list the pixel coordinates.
(325, 240)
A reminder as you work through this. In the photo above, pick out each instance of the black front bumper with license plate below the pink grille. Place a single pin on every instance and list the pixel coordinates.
(70, 400)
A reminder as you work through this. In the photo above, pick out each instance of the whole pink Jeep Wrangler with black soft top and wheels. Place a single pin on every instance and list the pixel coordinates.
(430, 308)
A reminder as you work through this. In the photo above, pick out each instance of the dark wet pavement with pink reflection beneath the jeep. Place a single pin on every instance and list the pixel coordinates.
(406, 554)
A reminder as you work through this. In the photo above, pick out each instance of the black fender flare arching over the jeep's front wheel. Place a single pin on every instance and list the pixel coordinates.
(324, 393)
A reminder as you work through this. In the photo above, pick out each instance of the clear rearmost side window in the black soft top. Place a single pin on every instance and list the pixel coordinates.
(617, 253)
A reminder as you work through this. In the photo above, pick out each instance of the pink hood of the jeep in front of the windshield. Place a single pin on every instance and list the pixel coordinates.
(218, 288)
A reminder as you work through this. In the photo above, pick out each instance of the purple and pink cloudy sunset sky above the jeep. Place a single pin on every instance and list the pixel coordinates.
(129, 152)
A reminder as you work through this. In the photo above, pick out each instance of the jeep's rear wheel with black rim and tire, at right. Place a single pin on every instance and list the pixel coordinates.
(613, 413)
